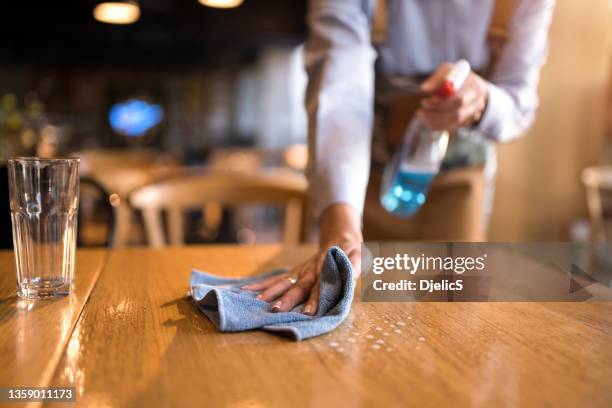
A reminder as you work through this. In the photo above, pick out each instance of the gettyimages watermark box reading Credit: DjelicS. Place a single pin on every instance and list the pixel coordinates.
(394, 271)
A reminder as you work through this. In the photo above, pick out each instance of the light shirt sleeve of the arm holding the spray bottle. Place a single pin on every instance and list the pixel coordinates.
(513, 98)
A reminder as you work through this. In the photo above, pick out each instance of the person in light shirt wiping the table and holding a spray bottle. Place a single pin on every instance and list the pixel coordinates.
(418, 36)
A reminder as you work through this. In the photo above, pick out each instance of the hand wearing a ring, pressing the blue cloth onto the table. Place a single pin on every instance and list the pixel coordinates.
(340, 226)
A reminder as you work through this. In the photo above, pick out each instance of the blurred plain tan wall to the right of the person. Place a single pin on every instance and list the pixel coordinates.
(539, 192)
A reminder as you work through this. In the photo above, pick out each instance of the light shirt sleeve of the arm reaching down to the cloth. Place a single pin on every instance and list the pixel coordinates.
(339, 100)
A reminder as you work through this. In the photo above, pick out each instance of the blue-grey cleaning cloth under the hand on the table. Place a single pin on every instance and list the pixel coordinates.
(232, 309)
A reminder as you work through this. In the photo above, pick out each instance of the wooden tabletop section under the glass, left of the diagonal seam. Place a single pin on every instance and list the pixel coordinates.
(33, 335)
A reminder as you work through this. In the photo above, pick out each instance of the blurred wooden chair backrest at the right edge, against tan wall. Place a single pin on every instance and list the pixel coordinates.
(598, 184)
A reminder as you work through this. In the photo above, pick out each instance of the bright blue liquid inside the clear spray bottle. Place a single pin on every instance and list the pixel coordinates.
(407, 192)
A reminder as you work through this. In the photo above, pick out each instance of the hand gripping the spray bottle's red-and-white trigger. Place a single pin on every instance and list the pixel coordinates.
(463, 109)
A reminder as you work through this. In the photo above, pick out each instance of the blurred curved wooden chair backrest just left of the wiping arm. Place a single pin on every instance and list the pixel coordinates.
(174, 196)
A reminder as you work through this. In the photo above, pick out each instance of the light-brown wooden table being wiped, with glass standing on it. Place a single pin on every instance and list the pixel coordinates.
(128, 337)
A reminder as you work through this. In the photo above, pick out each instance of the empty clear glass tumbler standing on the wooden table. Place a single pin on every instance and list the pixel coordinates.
(44, 195)
